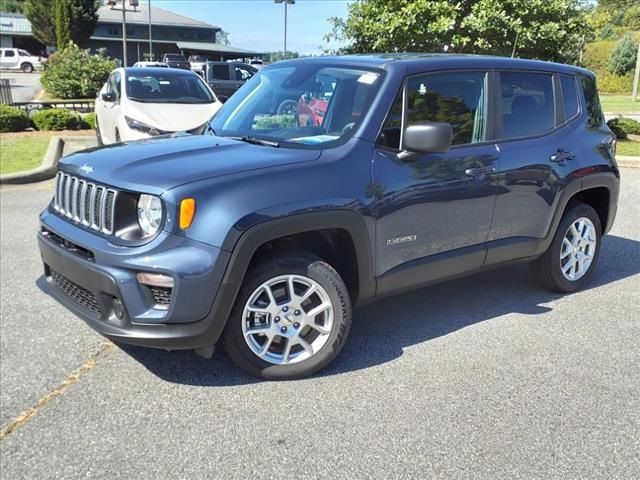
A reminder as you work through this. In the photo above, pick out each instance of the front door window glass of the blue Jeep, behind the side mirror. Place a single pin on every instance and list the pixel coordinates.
(456, 98)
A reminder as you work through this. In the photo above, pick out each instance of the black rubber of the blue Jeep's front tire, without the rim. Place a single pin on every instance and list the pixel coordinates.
(303, 264)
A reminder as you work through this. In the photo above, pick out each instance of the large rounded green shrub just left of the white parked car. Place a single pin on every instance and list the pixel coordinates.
(76, 73)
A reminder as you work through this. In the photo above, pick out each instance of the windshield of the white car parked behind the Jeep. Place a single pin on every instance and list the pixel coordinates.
(167, 87)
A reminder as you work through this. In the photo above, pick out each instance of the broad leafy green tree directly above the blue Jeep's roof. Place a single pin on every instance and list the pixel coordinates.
(546, 29)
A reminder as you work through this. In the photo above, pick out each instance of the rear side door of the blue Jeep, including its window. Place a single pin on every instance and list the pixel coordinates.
(537, 153)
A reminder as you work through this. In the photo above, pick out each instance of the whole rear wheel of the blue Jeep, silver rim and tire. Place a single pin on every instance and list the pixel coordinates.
(572, 256)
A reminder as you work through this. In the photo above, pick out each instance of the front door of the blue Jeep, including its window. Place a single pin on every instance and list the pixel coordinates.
(433, 210)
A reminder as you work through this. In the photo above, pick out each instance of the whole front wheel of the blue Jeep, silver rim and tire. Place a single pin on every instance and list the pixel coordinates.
(291, 318)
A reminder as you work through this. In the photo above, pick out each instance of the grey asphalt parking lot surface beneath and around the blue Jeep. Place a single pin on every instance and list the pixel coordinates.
(484, 377)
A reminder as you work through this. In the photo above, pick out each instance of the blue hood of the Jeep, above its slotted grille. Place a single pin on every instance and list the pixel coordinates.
(158, 164)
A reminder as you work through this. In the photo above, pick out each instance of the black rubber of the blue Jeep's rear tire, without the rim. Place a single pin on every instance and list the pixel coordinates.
(547, 268)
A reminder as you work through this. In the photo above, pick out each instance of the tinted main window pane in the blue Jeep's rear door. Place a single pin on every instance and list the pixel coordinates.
(527, 103)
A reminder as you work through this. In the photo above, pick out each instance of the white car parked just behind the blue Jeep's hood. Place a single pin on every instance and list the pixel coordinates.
(138, 103)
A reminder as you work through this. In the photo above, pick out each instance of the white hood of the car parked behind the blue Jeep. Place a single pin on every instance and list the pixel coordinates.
(172, 117)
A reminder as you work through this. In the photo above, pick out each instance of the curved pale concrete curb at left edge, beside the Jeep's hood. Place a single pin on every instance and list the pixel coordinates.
(49, 166)
